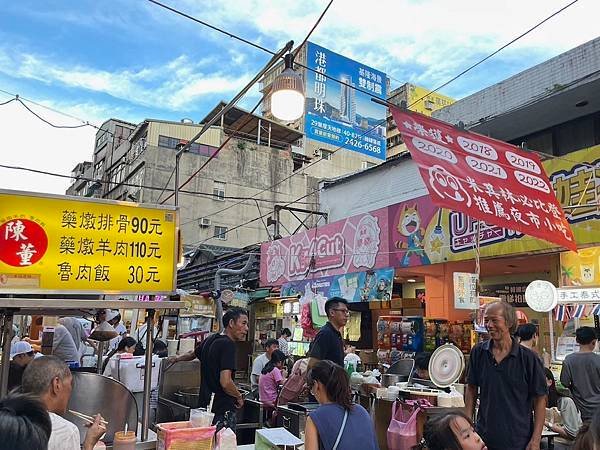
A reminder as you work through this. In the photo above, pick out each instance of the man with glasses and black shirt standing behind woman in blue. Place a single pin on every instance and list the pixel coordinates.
(328, 343)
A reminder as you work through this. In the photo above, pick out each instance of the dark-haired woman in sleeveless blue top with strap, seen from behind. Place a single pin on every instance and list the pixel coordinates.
(333, 425)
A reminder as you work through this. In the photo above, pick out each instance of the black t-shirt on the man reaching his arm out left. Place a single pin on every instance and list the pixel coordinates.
(216, 353)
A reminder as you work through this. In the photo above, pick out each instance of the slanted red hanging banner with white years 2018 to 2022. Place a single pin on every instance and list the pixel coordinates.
(484, 178)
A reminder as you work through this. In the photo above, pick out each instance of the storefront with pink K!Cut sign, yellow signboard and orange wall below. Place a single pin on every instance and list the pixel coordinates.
(401, 260)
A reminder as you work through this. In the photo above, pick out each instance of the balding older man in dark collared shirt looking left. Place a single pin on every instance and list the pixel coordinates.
(510, 383)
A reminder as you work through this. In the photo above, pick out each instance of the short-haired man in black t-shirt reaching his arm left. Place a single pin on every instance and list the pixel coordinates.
(217, 367)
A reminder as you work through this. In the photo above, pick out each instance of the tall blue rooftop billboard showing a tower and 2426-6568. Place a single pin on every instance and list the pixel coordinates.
(336, 113)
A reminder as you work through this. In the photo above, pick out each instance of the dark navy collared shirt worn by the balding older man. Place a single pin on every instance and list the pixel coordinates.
(507, 391)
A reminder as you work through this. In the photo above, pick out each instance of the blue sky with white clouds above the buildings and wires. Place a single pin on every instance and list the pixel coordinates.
(132, 60)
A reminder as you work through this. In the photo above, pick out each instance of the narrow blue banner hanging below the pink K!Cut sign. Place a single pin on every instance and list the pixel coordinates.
(354, 287)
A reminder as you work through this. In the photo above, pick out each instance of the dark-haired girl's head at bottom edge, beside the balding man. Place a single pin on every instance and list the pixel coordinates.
(453, 431)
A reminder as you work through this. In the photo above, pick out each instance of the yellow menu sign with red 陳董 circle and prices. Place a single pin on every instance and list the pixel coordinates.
(72, 245)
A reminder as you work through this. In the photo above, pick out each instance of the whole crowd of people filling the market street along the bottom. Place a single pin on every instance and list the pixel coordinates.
(509, 396)
